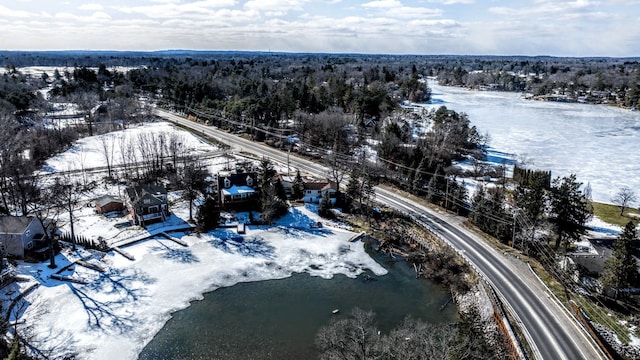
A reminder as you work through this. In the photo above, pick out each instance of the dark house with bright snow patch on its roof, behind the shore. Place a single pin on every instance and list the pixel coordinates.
(237, 188)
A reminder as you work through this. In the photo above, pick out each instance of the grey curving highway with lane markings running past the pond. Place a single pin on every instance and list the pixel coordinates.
(551, 331)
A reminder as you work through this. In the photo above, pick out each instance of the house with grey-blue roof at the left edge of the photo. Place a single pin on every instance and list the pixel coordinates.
(20, 234)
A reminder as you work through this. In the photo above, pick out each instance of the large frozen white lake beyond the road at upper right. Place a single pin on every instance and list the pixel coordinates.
(599, 143)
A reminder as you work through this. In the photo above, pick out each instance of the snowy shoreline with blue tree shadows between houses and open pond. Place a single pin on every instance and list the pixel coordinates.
(116, 313)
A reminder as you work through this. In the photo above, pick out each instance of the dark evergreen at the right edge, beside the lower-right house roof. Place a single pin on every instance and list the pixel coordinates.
(621, 270)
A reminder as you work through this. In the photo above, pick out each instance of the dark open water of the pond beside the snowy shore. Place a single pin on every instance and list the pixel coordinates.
(278, 319)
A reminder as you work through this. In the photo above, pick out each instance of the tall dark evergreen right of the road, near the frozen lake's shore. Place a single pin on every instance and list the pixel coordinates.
(570, 209)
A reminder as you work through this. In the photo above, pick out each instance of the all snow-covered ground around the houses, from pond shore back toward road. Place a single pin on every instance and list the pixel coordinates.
(115, 313)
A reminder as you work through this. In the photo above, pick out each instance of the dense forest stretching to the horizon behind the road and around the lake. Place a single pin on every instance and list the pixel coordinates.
(331, 108)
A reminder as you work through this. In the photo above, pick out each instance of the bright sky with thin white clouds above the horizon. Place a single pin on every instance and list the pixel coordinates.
(492, 27)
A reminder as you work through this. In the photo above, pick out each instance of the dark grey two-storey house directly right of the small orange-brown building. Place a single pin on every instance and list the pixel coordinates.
(147, 203)
